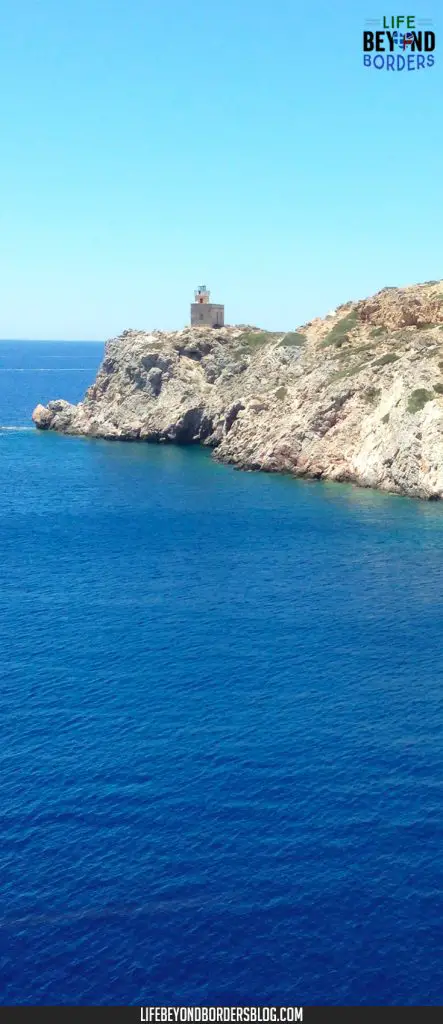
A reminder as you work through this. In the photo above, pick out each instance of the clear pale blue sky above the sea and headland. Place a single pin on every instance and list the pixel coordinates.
(149, 146)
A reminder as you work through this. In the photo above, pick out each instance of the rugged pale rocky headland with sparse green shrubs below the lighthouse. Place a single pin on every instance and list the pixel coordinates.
(357, 397)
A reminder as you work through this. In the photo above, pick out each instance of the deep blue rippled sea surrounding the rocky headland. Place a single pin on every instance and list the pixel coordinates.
(221, 729)
